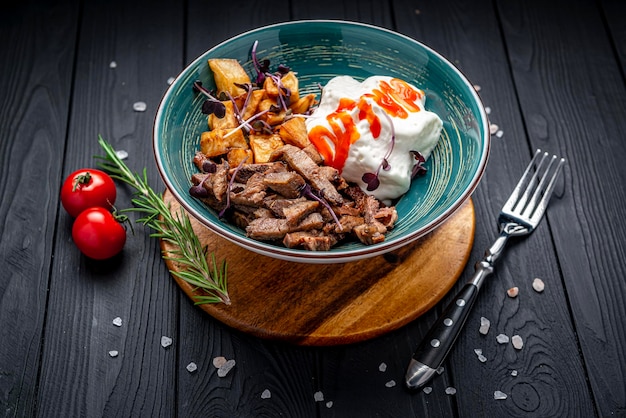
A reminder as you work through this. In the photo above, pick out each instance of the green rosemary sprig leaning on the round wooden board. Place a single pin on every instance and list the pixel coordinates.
(174, 229)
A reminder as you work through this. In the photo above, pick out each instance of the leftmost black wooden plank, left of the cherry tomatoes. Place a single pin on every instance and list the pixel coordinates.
(36, 55)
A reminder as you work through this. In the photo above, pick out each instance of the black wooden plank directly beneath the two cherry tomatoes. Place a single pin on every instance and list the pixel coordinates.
(78, 376)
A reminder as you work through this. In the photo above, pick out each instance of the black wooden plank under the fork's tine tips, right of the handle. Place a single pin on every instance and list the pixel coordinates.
(572, 94)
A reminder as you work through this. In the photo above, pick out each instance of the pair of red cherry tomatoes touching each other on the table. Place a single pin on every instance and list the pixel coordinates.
(88, 195)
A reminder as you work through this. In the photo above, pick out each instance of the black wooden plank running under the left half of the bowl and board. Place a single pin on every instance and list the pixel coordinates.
(285, 371)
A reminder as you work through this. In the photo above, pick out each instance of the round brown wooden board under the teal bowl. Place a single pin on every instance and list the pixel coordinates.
(332, 304)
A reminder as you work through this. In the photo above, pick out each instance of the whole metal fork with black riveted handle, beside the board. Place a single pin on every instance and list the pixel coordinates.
(520, 215)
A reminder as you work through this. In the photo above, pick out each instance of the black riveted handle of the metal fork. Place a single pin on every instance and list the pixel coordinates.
(437, 343)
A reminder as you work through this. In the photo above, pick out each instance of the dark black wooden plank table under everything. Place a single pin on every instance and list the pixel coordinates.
(552, 74)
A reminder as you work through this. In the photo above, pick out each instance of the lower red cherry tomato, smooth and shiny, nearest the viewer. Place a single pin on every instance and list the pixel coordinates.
(98, 234)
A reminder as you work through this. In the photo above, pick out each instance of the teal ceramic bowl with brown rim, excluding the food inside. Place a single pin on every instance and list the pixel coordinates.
(319, 50)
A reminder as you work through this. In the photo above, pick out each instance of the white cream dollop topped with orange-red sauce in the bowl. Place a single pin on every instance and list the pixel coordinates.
(355, 122)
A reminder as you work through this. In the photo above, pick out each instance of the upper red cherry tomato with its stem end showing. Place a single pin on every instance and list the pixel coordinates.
(87, 188)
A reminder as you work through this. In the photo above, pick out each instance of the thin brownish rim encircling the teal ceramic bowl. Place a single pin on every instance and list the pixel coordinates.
(337, 255)
